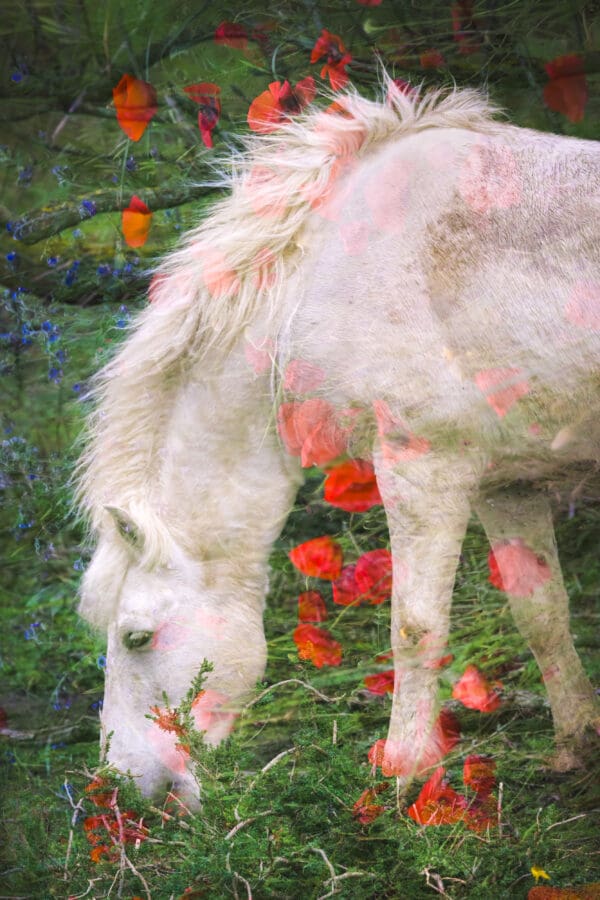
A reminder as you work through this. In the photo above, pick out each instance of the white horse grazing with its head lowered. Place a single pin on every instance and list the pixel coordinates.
(421, 269)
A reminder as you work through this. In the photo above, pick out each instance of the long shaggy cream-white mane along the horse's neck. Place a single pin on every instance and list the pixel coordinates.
(207, 292)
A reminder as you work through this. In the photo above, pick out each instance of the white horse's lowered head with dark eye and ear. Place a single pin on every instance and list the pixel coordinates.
(162, 620)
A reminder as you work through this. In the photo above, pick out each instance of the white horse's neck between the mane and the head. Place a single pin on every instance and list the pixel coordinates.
(225, 485)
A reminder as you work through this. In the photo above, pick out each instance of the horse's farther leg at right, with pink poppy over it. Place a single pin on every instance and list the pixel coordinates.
(540, 607)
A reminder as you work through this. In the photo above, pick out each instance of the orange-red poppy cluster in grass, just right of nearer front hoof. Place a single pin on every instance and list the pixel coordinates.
(440, 804)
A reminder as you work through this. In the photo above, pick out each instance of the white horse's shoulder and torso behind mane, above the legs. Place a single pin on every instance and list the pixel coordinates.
(456, 275)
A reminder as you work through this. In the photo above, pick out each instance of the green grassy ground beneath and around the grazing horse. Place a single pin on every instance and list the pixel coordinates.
(277, 815)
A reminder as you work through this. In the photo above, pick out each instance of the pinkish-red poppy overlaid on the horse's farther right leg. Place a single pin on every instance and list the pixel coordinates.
(516, 569)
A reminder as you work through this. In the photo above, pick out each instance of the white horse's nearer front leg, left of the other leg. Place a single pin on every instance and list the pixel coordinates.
(427, 502)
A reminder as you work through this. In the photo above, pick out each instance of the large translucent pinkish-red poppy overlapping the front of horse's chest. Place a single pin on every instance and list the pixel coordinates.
(310, 429)
